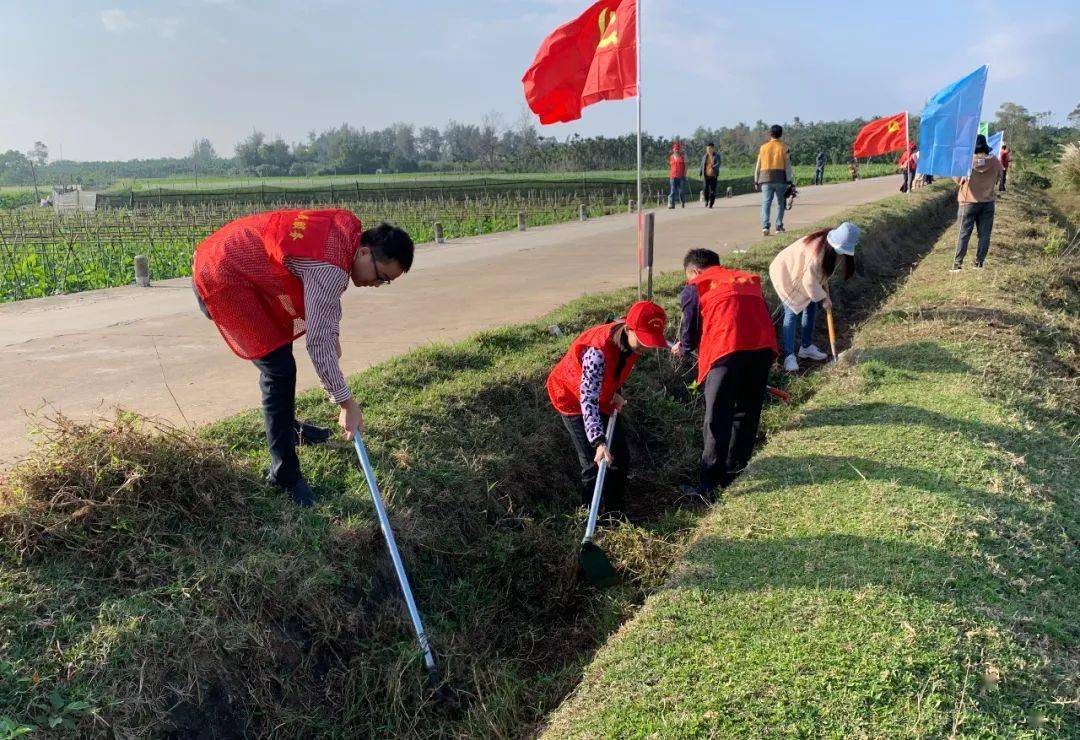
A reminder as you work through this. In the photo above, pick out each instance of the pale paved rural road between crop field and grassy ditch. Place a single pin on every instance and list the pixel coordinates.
(138, 348)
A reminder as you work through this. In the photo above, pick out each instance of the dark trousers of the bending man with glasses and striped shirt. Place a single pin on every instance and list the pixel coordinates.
(278, 384)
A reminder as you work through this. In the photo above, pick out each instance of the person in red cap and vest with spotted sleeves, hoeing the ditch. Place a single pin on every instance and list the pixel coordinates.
(587, 385)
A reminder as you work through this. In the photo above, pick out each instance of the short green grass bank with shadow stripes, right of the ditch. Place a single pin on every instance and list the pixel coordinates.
(902, 560)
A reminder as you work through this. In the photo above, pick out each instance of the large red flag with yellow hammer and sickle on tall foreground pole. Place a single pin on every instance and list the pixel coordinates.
(593, 58)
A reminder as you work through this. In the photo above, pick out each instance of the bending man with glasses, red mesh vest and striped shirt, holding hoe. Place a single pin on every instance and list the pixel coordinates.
(267, 279)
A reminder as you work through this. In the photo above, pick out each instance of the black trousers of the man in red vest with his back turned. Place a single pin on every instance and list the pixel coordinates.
(735, 394)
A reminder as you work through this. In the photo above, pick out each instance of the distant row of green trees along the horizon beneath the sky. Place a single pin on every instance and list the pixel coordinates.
(491, 146)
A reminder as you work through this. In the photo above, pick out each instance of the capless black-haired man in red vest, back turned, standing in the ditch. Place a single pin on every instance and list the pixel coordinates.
(726, 320)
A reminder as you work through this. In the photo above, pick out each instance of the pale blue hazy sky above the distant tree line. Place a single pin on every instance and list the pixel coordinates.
(118, 79)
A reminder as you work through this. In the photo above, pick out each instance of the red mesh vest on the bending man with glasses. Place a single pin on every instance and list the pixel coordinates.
(239, 271)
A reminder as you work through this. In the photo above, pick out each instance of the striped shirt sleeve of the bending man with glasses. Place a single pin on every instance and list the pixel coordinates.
(323, 286)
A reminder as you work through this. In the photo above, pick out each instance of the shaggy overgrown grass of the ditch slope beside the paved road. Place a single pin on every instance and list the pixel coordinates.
(151, 584)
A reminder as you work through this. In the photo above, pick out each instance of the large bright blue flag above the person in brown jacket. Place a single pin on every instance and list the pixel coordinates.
(950, 126)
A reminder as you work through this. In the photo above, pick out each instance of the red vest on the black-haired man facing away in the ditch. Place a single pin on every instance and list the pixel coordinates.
(734, 316)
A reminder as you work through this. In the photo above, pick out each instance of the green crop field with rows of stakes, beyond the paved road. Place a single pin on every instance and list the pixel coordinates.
(43, 253)
